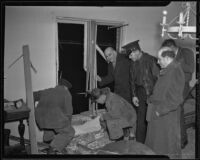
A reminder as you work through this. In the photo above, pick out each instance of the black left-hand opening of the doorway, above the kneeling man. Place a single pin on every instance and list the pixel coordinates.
(70, 42)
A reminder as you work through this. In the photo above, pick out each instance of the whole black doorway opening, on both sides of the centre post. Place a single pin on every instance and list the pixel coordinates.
(70, 58)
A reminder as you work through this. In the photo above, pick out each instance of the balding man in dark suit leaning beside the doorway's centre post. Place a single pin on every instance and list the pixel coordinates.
(118, 71)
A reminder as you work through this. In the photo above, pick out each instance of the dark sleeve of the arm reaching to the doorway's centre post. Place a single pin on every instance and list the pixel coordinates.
(108, 78)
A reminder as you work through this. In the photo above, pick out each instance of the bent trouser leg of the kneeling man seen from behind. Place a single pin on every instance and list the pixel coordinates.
(62, 138)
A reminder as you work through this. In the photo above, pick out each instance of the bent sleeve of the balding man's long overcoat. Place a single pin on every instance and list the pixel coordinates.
(173, 93)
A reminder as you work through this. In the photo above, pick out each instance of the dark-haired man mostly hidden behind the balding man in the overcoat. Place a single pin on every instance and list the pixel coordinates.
(186, 57)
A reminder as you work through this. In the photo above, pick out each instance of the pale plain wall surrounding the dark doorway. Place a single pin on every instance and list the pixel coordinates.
(35, 26)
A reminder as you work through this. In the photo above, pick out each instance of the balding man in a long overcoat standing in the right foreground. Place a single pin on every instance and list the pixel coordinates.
(163, 114)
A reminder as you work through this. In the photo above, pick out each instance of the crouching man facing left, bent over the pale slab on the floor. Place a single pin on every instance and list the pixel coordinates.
(120, 118)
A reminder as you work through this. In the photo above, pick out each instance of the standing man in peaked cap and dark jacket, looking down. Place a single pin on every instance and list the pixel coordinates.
(143, 75)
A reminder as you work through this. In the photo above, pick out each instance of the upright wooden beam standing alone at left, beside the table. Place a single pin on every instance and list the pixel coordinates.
(29, 99)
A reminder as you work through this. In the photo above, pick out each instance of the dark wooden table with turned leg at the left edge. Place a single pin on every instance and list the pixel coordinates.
(18, 115)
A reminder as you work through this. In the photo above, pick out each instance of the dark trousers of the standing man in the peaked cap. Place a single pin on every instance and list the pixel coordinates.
(141, 116)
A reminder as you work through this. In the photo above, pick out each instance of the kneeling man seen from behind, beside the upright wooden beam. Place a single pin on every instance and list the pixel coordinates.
(53, 114)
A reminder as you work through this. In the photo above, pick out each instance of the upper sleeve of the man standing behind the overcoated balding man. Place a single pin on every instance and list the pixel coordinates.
(187, 63)
